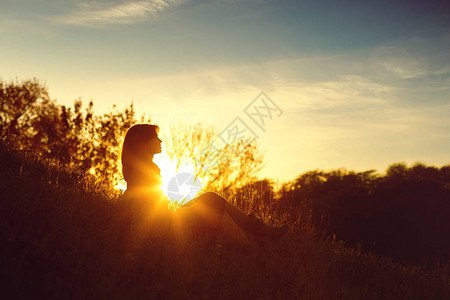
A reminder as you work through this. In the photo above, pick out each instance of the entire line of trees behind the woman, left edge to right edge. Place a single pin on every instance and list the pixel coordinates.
(404, 214)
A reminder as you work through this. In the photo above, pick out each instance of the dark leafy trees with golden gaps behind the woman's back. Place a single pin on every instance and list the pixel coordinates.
(76, 137)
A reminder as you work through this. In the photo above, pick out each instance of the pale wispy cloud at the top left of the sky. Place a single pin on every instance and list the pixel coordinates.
(98, 14)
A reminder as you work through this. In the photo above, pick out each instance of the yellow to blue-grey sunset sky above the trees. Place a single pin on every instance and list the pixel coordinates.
(359, 84)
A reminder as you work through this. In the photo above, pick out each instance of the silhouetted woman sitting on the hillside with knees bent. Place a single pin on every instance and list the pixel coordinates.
(208, 212)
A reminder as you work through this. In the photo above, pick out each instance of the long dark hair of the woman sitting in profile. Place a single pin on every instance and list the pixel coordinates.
(134, 156)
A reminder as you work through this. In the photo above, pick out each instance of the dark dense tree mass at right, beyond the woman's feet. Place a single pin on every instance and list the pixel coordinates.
(404, 214)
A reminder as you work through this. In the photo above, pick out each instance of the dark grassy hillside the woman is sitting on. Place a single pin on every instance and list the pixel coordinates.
(64, 237)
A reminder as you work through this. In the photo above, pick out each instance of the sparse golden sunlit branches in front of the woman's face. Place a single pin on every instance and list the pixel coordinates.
(226, 168)
